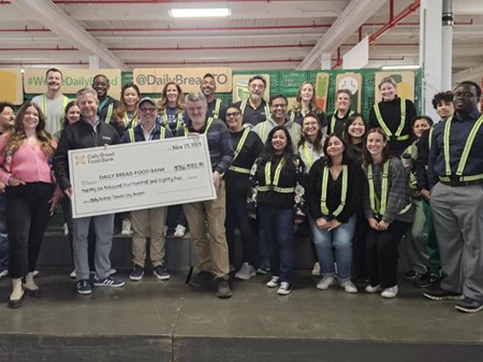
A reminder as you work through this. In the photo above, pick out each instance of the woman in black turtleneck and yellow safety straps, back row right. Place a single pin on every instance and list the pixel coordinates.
(393, 115)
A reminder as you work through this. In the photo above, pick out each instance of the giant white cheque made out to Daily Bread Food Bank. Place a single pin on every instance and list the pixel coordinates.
(140, 175)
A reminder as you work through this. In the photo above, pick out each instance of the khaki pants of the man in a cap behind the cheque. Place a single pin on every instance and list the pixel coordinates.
(144, 223)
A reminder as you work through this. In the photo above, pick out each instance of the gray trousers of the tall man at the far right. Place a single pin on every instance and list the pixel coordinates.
(458, 222)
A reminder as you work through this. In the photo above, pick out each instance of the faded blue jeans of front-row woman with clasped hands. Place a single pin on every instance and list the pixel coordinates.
(339, 239)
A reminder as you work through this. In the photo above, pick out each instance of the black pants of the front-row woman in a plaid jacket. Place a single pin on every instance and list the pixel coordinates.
(382, 254)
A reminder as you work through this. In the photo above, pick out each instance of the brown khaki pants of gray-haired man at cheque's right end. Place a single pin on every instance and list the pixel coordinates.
(211, 252)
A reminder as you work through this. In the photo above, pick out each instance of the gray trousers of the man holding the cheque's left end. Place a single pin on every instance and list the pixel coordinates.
(104, 226)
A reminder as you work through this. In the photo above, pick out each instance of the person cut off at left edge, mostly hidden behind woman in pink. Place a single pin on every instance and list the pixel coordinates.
(7, 121)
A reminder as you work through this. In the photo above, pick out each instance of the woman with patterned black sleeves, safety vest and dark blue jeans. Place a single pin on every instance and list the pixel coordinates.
(277, 193)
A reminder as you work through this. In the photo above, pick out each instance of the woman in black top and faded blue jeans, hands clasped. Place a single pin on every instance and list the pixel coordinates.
(334, 197)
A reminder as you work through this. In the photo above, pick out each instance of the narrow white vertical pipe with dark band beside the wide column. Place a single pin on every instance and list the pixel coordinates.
(447, 46)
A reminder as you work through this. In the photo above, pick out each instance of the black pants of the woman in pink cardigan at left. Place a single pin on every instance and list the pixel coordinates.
(27, 219)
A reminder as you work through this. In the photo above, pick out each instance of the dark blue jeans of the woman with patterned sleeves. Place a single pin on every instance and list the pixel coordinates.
(278, 226)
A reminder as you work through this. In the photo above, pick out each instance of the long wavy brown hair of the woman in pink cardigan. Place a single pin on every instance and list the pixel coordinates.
(17, 137)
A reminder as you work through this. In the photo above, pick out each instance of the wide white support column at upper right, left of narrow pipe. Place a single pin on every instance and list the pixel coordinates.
(430, 52)
